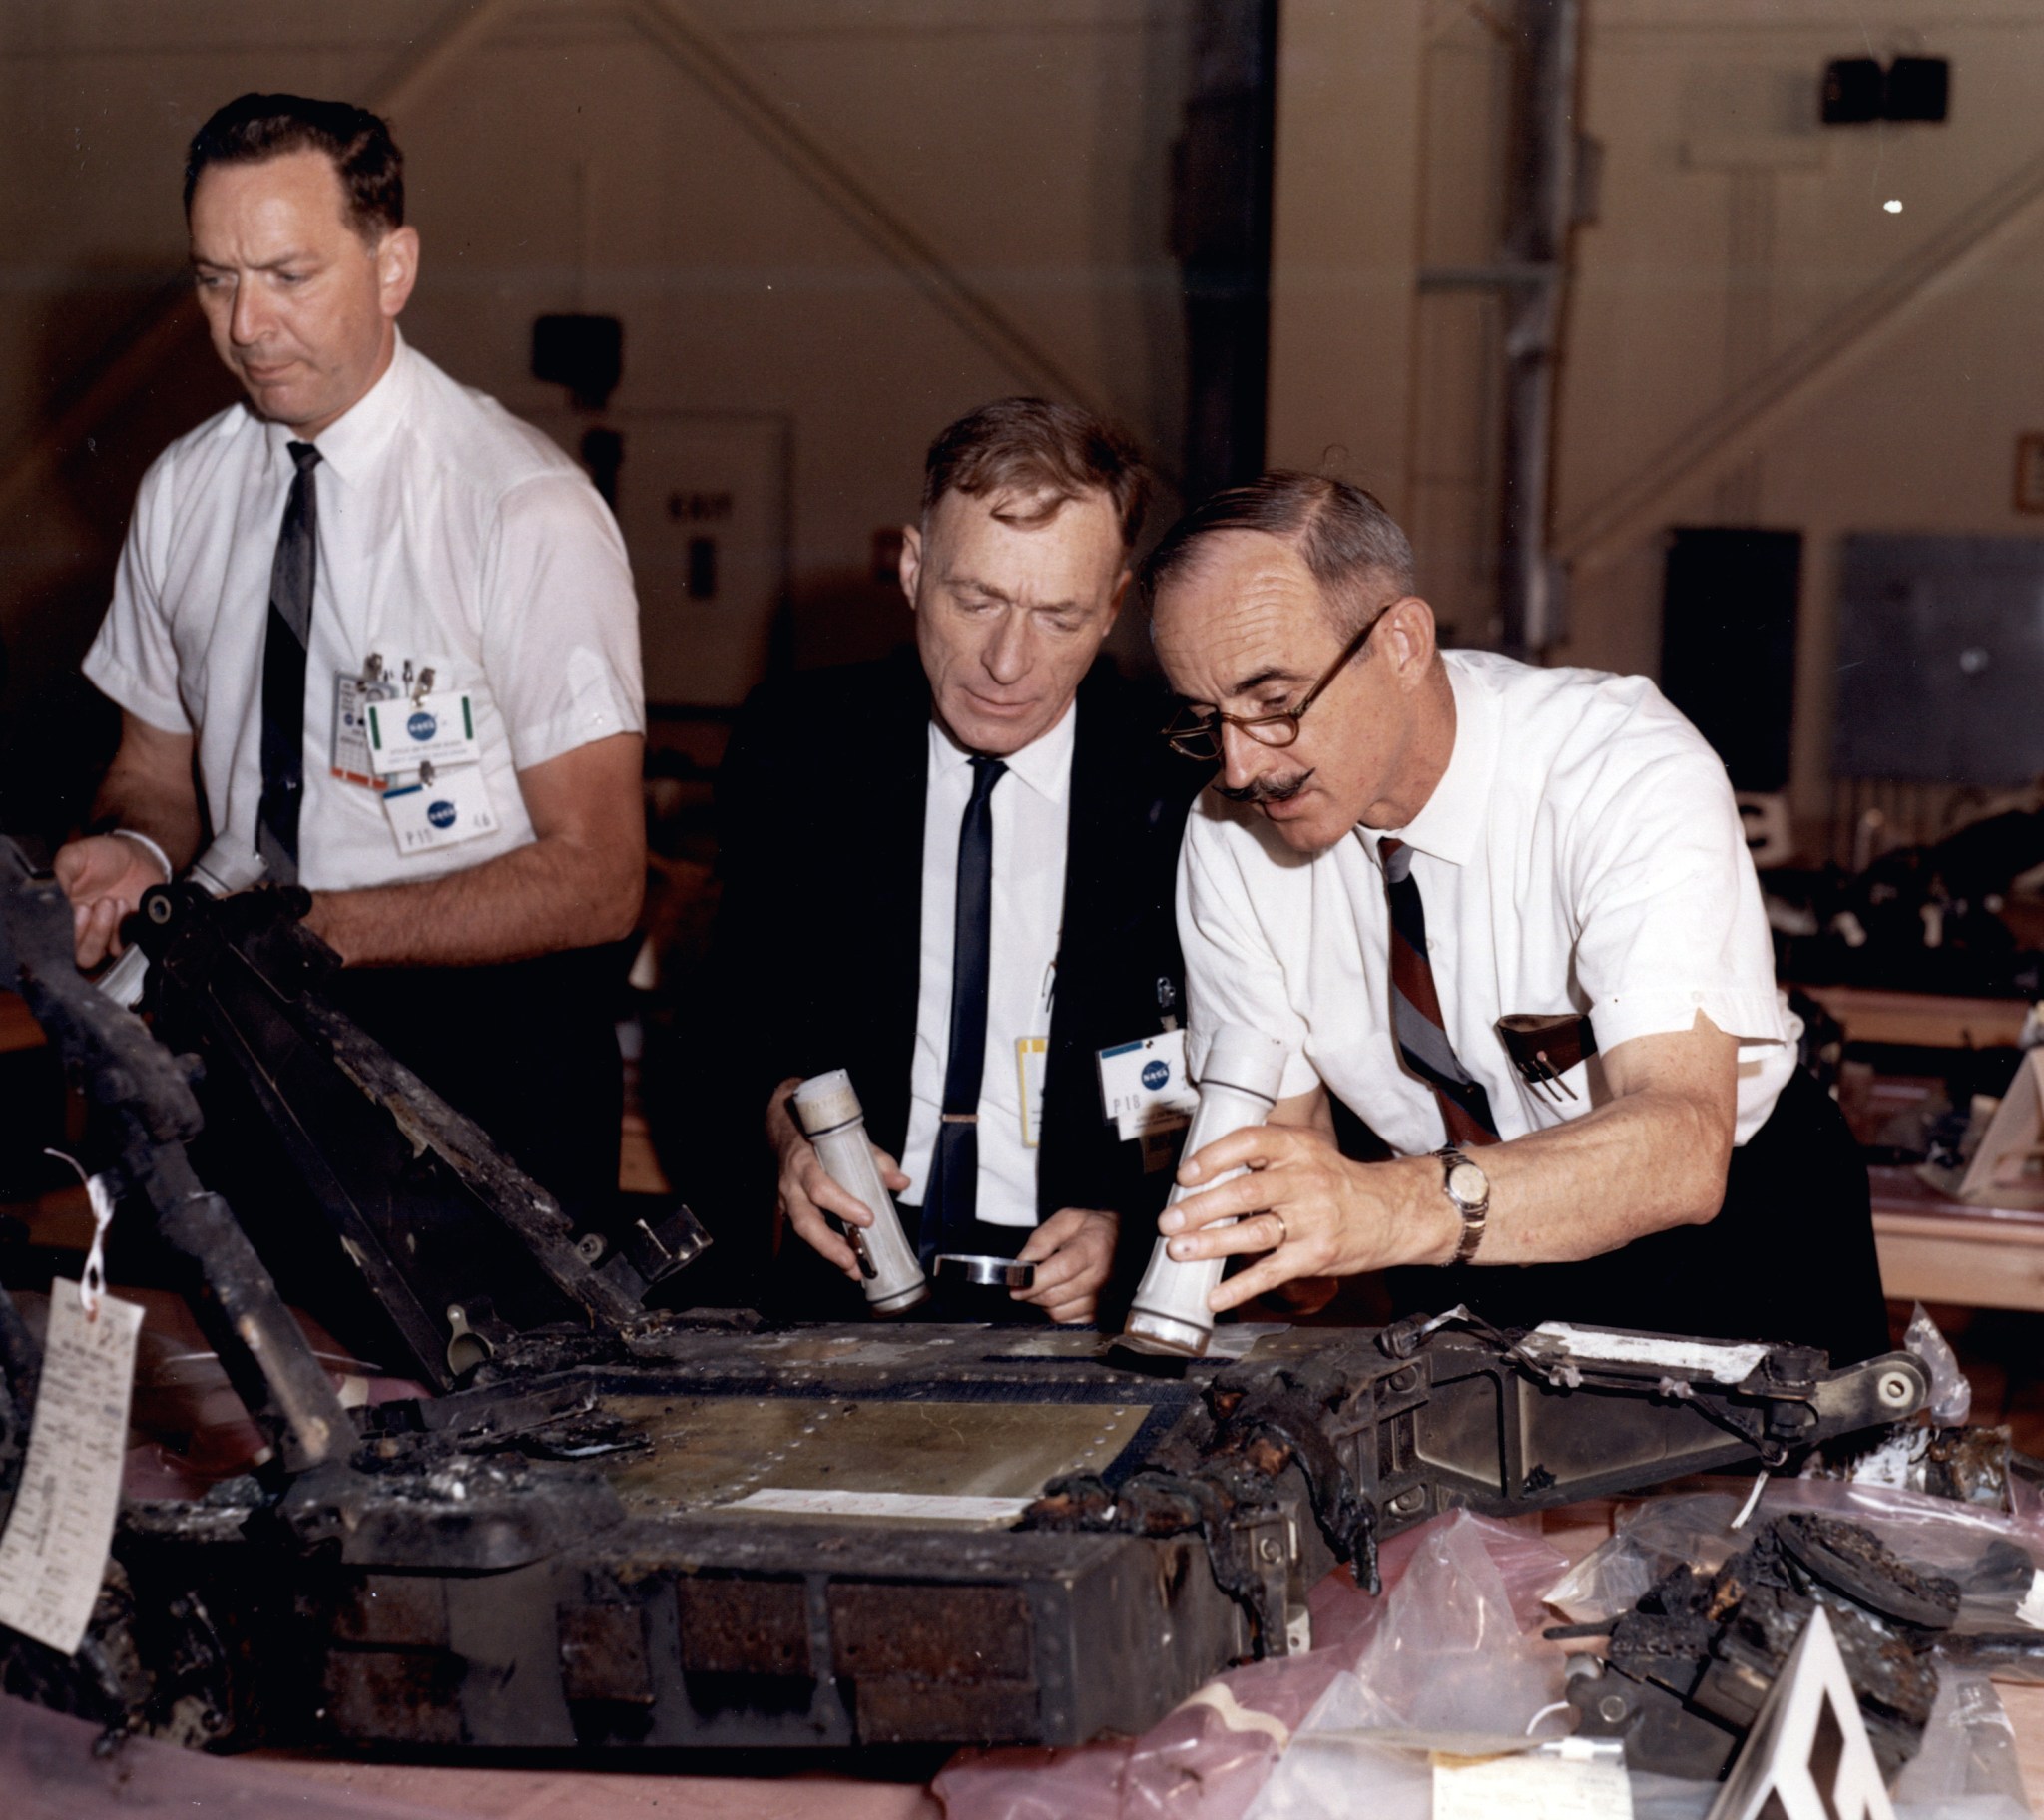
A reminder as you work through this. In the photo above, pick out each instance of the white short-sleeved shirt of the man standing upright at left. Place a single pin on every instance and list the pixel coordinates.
(451, 536)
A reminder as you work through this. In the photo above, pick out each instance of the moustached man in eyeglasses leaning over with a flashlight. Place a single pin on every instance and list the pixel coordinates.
(1505, 918)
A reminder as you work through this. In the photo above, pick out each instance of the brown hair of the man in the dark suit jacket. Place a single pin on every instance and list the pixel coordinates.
(1050, 452)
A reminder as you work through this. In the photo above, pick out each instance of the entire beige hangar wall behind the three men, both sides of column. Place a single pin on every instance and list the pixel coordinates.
(831, 228)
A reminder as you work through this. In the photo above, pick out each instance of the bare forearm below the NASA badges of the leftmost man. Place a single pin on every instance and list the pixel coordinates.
(539, 900)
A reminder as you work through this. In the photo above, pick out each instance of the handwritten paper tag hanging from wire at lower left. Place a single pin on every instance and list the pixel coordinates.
(58, 1537)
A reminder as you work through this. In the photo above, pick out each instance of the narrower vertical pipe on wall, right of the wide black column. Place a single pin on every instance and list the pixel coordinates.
(1540, 207)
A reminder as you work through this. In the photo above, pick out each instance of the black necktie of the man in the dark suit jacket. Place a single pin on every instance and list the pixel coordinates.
(954, 1196)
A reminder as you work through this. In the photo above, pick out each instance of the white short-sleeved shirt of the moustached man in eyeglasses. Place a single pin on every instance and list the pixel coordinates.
(1581, 853)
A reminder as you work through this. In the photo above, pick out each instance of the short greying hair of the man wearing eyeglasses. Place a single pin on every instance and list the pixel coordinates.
(1352, 546)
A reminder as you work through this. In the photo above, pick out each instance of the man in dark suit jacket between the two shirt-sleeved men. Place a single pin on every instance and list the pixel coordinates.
(845, 816)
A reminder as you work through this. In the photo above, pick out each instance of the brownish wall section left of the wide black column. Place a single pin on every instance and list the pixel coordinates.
(696, 166)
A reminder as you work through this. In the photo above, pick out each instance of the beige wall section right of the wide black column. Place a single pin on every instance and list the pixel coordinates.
(1753, 338)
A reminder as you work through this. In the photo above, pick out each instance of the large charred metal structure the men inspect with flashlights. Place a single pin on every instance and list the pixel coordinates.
(622, 1527)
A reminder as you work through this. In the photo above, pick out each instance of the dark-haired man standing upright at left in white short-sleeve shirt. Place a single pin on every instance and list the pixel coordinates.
(426, 553)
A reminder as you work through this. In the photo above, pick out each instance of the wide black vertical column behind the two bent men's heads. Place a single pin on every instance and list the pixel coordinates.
(1221, 234)
